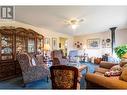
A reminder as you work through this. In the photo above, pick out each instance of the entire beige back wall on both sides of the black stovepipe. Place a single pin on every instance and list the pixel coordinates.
(120, 39)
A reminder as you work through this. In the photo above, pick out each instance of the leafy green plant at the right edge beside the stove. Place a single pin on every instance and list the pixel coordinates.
(121, 51)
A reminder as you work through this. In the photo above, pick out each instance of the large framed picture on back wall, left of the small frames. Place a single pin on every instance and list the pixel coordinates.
(93, 43)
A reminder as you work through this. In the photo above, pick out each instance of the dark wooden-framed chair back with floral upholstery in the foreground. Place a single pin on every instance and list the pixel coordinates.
(64, 77)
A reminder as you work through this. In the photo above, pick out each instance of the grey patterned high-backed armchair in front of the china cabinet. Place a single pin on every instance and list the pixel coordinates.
(31, 72)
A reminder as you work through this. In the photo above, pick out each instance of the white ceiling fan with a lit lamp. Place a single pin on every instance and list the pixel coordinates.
(73, 22)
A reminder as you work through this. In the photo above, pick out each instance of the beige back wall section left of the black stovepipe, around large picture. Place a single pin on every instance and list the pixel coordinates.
(94, 52)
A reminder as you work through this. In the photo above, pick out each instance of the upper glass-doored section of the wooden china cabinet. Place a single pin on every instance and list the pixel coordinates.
(16, 40)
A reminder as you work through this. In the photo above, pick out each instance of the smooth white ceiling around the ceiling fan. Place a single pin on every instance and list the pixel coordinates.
(96, 18)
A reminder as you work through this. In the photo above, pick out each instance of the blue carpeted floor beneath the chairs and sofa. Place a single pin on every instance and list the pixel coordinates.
(17, 83)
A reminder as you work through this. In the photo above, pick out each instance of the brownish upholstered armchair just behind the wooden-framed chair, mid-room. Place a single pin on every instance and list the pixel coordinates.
(58, 58)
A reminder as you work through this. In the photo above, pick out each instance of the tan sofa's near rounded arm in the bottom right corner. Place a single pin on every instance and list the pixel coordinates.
(108, 82)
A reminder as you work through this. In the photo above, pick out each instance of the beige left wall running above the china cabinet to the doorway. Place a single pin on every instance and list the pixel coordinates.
(46, 32)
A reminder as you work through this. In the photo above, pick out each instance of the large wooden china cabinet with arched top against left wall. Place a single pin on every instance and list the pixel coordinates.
(12, 41)
